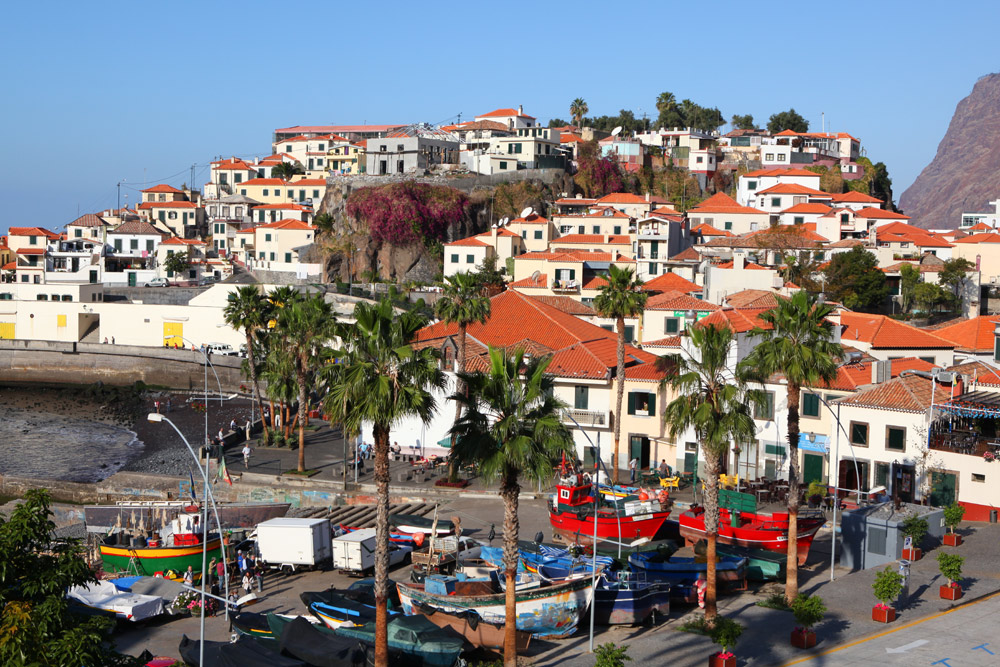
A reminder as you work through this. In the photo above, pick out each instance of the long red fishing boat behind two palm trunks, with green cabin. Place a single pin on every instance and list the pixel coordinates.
(756, 531)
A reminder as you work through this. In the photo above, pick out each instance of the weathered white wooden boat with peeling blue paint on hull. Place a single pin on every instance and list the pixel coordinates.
(550, 611)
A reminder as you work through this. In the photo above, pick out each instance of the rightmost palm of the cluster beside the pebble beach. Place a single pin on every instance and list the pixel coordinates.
(306, 325)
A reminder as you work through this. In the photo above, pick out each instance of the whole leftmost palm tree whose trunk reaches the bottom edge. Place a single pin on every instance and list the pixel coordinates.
(381, 379)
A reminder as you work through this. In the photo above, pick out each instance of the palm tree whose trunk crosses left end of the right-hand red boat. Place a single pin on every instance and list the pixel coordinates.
(714, 403)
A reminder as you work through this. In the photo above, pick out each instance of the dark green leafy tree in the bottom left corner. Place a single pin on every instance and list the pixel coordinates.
(37, 626)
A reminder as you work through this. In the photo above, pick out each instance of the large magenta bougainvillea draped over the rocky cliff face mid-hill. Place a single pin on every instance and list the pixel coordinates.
(407, 212)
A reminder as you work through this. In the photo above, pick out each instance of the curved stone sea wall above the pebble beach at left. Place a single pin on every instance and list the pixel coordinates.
(87, 363)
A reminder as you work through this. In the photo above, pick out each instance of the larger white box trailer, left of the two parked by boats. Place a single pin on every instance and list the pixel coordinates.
(289, 544)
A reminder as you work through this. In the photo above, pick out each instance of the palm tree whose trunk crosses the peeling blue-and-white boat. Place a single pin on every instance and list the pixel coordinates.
(511, 428)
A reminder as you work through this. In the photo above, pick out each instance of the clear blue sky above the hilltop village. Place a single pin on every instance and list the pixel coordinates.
(94, 93)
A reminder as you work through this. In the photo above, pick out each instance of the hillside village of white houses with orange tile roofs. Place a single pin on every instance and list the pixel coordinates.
(914, 404)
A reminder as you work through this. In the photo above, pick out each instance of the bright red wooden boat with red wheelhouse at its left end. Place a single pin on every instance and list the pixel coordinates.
(571, 514)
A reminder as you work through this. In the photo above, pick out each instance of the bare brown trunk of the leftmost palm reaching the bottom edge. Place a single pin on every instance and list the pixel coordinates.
(381, 434)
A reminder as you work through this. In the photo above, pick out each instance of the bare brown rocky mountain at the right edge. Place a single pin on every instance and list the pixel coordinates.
(965, 173)
